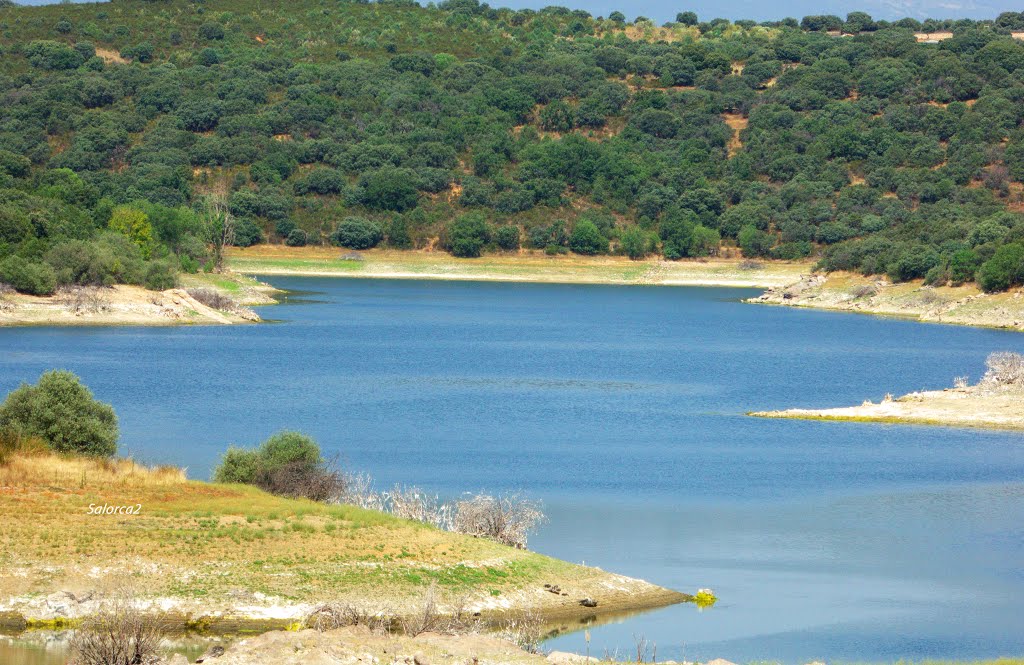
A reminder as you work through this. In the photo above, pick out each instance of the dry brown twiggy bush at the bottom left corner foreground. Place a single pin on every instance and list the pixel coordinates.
(118, 636)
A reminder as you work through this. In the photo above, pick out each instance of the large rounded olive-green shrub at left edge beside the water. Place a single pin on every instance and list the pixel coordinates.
(63, 412)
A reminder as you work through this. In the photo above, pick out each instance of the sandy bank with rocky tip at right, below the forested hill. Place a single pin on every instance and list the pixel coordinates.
(845, 293)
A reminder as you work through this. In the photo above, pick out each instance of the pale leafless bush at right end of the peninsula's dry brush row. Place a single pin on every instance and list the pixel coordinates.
(509, 519)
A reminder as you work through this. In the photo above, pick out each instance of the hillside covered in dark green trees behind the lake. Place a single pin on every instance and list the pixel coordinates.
(137, 137)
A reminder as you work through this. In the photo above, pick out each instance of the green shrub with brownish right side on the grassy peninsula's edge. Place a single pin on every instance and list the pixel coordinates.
(287, 465)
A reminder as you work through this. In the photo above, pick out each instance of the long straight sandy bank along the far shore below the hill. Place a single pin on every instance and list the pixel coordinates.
(523, 267)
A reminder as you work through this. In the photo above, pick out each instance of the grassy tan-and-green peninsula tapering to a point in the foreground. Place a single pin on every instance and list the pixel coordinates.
(230, 557)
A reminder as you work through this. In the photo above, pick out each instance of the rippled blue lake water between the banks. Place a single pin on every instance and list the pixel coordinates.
(622, 408)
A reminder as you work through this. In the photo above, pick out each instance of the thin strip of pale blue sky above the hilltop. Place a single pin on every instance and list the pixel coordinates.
(663, 11)
